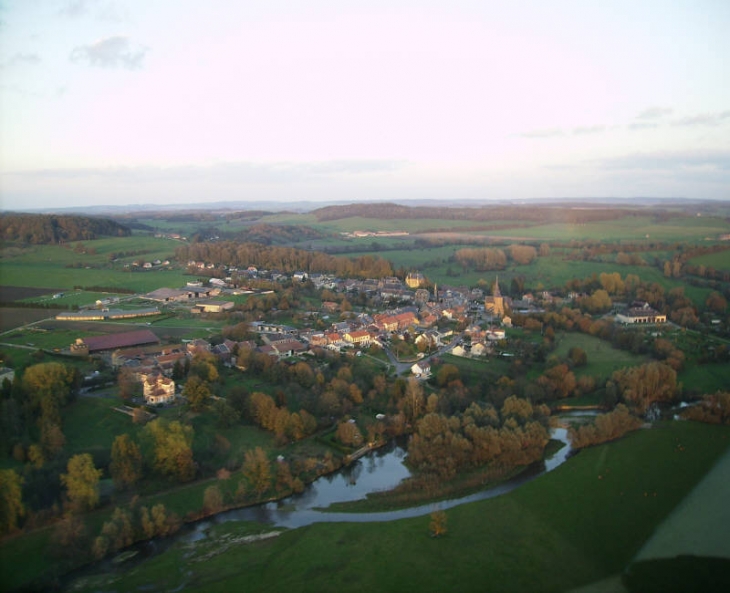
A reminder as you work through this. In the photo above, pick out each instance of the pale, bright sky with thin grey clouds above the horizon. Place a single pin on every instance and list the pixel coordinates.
(110, 102)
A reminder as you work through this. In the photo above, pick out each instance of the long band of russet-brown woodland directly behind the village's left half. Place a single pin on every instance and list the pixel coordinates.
(283, 259)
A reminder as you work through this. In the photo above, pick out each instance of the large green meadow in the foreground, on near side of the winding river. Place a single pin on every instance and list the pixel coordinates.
(581, 523)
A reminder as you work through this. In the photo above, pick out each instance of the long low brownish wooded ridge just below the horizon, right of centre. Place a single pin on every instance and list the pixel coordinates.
(574, 214)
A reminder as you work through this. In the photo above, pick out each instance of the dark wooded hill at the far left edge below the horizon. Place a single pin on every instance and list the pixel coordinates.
(41, 229)
